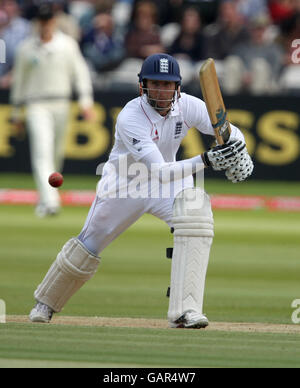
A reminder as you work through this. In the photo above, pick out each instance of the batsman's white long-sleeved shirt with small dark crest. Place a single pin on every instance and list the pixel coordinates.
(144, 137)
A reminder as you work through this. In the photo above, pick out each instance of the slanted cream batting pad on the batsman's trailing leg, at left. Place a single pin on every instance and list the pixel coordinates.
(73, 266)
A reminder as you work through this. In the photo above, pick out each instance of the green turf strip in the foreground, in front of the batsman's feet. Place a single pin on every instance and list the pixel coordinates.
(106, 346)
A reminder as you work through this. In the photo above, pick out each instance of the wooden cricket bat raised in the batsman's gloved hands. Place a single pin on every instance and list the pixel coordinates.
(214, 101)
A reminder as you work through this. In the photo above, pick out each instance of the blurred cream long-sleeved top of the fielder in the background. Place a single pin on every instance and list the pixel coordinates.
(45, 71)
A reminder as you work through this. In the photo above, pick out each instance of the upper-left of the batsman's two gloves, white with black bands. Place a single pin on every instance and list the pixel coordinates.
(224, 156)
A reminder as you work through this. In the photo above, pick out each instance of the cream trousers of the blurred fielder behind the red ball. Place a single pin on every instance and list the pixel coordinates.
(47, 126)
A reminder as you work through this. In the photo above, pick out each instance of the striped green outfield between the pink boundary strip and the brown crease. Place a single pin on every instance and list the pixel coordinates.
(252, 274)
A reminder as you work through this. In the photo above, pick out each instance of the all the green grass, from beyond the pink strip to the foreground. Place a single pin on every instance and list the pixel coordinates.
(253, 276)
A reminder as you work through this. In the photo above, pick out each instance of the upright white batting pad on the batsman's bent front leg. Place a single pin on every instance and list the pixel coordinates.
(193, 234)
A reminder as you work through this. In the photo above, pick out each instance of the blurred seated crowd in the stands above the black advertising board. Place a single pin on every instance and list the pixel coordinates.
(255, 43)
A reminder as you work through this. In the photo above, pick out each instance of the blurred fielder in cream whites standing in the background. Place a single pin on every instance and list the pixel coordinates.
(48, 64)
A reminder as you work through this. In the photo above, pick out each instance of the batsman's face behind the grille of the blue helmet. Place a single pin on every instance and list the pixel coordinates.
(161, 95)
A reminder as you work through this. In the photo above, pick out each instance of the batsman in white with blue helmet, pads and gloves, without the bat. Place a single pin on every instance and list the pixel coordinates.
(142, 176)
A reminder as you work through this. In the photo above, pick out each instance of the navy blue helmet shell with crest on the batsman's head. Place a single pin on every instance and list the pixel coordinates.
(162, 67)
